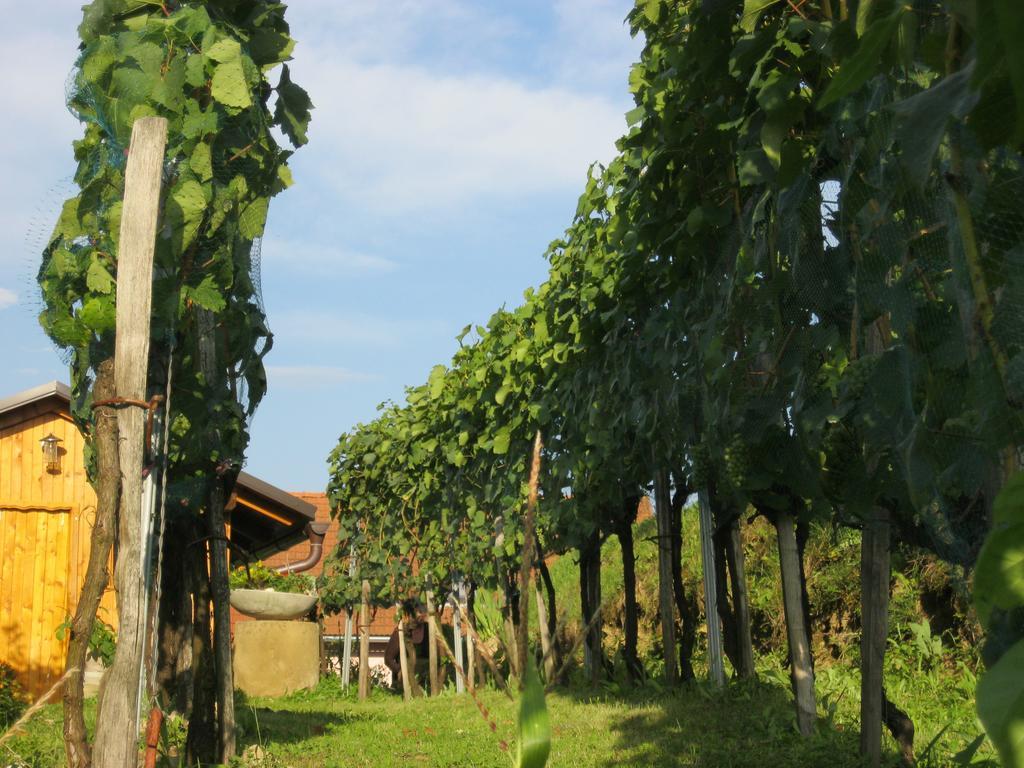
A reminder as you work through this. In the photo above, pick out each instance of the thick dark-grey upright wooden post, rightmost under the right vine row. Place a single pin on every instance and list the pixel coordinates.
(875, 630)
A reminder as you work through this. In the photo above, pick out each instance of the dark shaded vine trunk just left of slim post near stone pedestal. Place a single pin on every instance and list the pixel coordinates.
(201, 743)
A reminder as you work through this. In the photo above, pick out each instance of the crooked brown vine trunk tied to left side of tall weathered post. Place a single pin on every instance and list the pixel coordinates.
(97, 576)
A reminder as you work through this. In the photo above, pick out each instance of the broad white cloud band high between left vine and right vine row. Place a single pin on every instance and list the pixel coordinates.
(400, 140)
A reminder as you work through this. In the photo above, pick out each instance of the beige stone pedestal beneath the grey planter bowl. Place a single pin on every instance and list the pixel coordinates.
(273, 659)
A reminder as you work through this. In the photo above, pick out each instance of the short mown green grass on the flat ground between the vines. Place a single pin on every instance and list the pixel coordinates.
(748, 724)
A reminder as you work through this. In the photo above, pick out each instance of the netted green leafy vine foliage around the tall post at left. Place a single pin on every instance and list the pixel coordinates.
(189, 64)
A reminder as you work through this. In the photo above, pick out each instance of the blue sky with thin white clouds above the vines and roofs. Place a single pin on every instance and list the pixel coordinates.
(450, 142)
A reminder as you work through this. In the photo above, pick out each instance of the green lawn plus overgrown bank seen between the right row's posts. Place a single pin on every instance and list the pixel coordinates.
(747, 724)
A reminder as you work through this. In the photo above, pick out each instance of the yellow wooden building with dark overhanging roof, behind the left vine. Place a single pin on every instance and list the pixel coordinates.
(47, 517)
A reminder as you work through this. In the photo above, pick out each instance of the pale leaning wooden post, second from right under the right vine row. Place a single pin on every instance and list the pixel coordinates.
(802, 671)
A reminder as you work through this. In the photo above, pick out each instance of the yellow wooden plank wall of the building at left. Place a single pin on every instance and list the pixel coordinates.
(46, 529)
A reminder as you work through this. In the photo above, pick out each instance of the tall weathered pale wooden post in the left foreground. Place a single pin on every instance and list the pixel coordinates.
(117, 726)
